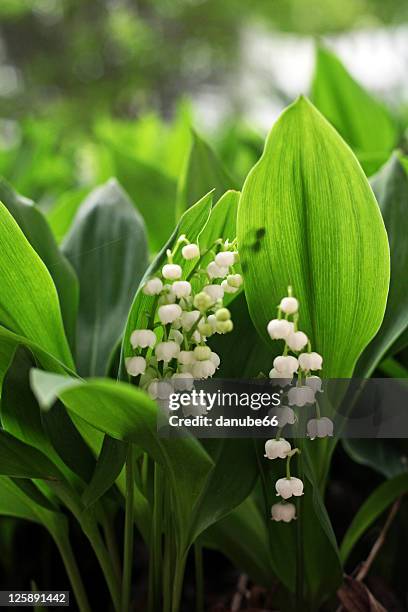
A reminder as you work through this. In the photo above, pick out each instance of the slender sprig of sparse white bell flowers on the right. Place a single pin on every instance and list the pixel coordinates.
(293, 368)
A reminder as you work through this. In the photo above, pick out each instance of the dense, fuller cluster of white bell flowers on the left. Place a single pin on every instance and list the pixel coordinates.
(188, 309)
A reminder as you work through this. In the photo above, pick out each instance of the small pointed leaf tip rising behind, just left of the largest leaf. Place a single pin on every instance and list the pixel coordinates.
(203, 172)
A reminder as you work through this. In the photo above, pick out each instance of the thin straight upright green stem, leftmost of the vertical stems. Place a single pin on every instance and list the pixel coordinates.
(128, 533)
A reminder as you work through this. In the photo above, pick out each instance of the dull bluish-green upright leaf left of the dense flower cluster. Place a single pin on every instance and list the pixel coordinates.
(107, 247)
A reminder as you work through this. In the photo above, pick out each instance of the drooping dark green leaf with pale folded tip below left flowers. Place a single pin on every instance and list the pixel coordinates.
(126, 413)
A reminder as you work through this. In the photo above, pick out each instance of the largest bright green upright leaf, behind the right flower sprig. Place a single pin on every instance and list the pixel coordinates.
(308, 218)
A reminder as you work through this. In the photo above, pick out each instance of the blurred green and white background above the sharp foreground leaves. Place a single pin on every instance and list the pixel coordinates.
(96, 88)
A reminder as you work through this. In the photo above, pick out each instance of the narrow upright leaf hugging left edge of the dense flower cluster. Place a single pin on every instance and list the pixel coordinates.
(191, 224)
